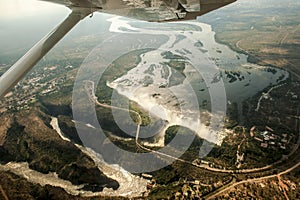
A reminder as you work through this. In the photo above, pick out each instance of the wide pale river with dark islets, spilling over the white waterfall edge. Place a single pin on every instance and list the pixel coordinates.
(213, 75)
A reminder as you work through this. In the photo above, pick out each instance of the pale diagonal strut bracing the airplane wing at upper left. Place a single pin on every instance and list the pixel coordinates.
(27, 62)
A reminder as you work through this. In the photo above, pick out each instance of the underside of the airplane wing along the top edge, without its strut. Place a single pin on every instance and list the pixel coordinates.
(150, 10)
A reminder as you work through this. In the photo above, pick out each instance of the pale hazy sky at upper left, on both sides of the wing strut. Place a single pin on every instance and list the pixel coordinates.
(25, 22)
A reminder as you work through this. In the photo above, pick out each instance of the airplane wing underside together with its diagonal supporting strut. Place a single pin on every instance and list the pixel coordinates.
(148, 10)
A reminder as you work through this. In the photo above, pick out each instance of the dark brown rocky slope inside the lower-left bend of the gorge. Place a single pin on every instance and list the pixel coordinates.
(27, 137)
